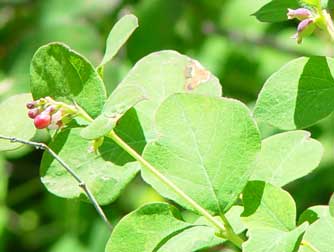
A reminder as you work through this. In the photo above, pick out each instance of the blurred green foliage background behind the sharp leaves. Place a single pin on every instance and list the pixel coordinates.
(221, 34)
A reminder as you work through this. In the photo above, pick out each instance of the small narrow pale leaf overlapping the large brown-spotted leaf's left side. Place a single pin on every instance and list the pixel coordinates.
(118, 103)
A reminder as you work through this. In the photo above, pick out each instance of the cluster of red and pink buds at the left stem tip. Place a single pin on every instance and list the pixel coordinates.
(46, 113)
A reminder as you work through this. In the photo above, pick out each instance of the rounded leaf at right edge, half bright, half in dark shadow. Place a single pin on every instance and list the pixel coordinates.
(298, 95)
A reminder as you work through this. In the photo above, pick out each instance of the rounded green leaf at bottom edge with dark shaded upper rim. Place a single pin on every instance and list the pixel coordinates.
(146, 229)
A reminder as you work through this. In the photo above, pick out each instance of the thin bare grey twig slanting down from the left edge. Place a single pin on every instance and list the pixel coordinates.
(81, 183)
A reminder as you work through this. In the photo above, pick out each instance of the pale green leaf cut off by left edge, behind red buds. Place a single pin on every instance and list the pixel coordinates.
(15, 121)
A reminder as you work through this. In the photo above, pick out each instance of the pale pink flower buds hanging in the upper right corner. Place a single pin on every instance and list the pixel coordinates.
(307, 22)
